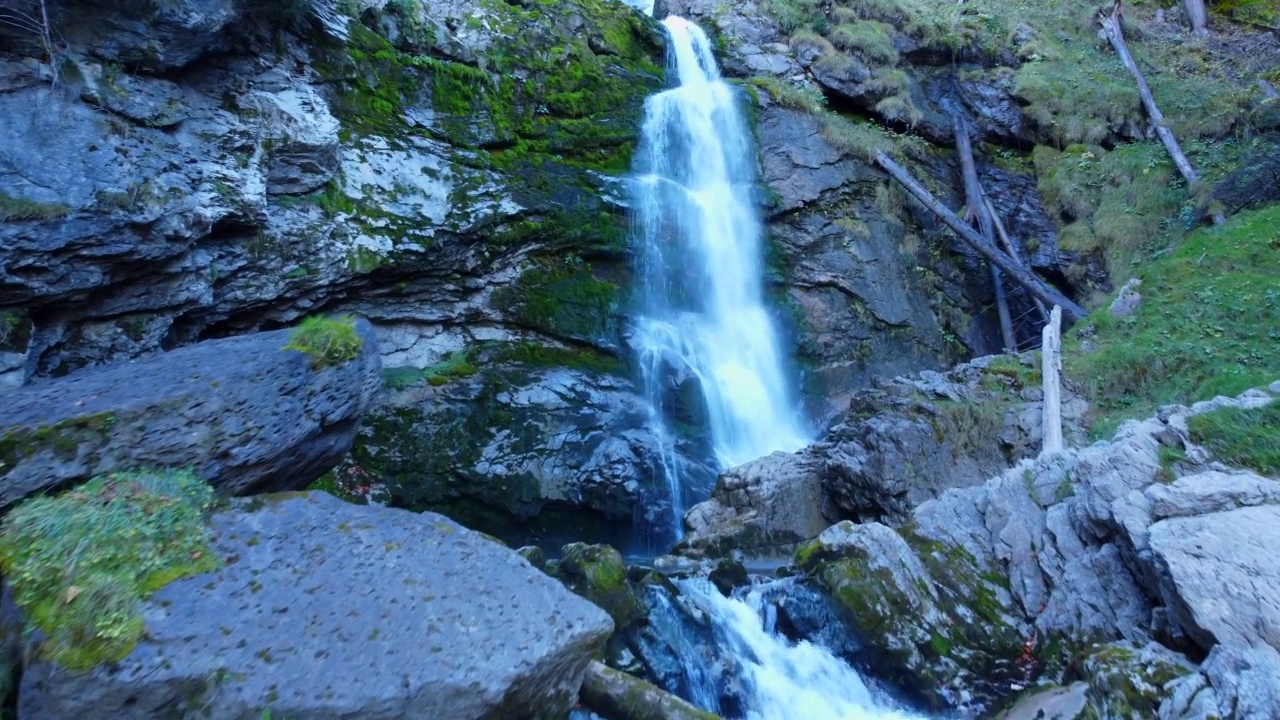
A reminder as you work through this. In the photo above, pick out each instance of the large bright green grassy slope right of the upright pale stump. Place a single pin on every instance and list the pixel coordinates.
(1209, 325)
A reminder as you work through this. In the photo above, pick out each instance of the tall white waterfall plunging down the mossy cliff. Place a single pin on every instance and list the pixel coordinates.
(700, 239)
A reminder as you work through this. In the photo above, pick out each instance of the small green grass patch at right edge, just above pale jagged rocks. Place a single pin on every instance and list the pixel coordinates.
(1246, 439)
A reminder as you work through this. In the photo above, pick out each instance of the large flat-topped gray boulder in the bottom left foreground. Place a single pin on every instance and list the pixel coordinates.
(327, 610)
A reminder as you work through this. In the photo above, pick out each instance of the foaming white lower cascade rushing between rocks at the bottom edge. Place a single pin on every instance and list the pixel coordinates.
(785, 681)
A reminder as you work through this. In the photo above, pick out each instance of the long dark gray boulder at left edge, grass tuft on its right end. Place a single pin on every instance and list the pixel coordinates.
(244, 413)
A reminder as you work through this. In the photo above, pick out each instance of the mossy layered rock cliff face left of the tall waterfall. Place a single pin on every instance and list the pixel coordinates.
(449, 171)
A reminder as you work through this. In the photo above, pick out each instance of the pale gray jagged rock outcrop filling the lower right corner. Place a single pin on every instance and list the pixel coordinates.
(1096, 546)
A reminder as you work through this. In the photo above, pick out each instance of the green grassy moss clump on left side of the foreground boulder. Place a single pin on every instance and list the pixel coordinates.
(83, 563)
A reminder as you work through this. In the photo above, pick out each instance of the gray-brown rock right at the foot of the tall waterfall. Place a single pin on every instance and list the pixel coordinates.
(761, 509)
